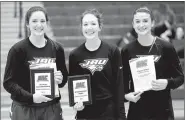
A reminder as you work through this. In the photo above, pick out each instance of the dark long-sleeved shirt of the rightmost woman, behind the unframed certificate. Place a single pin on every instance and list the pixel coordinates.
(167, 65)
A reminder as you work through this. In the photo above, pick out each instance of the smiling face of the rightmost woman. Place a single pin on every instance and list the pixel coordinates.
(142, 23)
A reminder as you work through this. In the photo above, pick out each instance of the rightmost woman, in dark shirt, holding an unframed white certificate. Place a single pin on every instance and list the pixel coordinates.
(154, 104)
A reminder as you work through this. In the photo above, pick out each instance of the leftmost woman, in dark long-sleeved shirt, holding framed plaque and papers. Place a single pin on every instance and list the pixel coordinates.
(34, 50)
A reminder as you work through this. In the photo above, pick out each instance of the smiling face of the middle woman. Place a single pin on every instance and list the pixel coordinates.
(90, 26)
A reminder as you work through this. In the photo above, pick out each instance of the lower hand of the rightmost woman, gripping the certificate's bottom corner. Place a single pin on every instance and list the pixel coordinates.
(133, 96)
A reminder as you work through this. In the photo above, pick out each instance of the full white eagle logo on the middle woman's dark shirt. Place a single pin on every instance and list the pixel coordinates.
(94, 64)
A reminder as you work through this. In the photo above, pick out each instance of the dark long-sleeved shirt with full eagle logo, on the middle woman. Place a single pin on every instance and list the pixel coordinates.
(105, 68)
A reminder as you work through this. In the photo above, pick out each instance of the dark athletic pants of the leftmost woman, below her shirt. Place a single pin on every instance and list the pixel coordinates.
(50, 112)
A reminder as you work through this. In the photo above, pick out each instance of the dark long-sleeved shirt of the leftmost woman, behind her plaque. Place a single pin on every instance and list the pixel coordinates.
(17, 71)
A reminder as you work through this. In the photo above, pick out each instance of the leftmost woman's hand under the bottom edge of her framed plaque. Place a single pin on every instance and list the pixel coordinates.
(38, 98)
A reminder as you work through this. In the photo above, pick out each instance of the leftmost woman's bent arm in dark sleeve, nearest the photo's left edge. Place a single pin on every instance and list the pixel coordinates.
(12, 71)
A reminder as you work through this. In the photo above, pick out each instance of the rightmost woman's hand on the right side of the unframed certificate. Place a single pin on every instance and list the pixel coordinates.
(159, 84)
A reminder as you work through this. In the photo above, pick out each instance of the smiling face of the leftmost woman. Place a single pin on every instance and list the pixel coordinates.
(37, 23)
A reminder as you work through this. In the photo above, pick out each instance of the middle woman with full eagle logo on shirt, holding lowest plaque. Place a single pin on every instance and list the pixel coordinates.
(106, 78)
